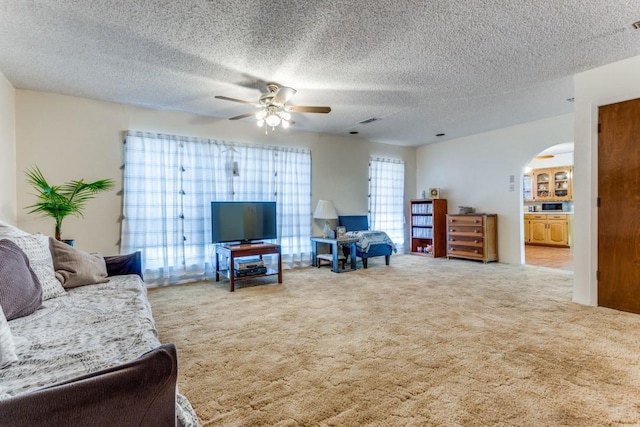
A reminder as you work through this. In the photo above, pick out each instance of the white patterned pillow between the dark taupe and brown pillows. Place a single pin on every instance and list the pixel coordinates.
(36, 247)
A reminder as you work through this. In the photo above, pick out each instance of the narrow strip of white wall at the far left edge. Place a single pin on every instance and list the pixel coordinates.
(8, 150)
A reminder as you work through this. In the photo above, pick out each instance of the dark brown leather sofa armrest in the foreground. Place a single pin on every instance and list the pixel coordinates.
(138, 393)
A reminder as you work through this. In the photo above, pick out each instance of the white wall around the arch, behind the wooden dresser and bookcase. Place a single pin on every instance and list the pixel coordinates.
(475, 171)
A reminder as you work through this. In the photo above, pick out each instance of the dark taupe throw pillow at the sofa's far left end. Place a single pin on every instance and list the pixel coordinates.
(20, 289)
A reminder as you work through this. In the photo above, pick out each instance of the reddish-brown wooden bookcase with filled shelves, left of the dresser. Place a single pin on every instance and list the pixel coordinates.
(428, 227)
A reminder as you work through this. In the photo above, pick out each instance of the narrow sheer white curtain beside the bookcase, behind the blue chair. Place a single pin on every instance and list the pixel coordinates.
(386, 198)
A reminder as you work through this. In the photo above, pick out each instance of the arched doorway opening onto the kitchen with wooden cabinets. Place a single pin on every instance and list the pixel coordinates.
(548, 208)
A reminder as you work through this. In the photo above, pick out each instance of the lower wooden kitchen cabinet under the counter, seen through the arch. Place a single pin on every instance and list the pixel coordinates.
(548, 229)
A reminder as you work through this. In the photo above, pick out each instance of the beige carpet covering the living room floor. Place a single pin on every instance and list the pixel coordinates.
(423, 342)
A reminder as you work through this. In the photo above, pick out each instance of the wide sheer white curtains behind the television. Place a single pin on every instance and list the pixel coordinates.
(169, 183)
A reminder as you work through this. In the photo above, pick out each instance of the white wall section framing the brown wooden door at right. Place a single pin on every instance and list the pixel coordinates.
(609, 84)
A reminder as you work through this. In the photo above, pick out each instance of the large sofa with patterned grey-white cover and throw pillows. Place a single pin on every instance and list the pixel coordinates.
(78, 344)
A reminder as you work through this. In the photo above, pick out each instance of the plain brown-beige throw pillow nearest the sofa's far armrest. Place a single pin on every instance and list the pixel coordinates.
(74, 267)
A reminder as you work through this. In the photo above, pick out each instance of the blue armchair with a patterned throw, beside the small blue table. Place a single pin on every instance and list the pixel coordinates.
(370, 243)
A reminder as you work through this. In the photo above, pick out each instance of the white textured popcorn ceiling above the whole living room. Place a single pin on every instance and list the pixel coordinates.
(423, 67)
